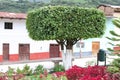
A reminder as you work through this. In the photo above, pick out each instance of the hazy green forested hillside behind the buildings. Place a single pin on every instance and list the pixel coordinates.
(26, 5)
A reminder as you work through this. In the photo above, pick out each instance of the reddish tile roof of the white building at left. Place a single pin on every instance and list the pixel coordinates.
(8, 15)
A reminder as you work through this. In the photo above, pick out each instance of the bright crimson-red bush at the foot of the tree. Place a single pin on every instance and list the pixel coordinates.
(89, 73)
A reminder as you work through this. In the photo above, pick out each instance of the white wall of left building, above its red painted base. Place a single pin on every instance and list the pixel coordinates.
(18, 35)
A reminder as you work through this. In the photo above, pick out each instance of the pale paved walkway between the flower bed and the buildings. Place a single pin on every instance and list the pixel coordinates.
(48, 64)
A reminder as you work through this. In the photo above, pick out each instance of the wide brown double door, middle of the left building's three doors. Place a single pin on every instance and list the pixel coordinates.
(24, 51)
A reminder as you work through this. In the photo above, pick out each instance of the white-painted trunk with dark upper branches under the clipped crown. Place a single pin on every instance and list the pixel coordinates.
(66, 56)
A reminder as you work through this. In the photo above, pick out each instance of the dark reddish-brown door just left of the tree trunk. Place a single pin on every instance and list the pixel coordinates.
(54, 50)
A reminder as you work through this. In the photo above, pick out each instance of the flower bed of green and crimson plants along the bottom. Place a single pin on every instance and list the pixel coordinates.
(74, 73)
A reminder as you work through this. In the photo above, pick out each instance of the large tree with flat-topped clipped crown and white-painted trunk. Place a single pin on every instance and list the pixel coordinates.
(66, 25)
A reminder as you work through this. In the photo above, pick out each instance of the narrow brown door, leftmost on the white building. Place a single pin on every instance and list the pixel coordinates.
(5, 52)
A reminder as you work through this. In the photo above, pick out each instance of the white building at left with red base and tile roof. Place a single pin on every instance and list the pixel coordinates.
(15, 43)
